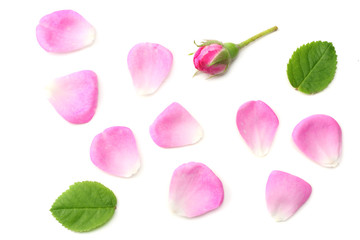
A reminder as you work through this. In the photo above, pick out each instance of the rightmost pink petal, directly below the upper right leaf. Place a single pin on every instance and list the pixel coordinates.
(319, 138)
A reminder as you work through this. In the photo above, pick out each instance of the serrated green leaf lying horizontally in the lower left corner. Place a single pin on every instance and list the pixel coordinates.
(84, 206)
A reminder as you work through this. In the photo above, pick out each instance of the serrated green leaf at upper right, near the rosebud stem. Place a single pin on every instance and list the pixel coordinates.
(312, 67)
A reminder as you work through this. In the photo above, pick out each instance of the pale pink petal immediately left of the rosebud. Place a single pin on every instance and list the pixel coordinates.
(149, 65)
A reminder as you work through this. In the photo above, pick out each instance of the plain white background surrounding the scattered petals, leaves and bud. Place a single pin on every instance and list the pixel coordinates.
(42, 155)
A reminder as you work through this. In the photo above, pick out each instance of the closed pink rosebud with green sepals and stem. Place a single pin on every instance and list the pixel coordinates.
(214, 57)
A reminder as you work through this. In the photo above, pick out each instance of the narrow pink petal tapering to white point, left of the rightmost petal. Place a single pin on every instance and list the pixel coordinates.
(257, 124)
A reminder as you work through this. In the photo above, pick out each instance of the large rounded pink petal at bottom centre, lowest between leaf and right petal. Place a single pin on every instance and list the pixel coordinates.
(195, 190)
